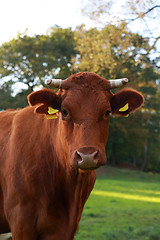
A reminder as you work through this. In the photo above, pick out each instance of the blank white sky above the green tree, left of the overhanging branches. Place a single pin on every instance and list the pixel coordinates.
(37, 16)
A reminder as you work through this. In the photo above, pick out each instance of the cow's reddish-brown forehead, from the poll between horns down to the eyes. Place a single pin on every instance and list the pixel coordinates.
(86, 93)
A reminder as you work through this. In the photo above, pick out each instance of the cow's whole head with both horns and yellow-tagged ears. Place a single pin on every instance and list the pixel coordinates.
(85, 103)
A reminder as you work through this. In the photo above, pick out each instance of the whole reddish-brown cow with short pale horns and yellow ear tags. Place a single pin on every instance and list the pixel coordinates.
(47, 165)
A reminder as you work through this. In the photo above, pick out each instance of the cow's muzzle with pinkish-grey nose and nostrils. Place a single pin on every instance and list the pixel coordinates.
(88, 158)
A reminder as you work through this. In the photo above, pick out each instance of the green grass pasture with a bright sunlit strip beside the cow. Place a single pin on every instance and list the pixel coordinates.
(124, 205)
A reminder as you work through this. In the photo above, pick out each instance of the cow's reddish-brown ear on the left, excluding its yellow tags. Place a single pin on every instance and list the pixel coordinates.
(44, 99)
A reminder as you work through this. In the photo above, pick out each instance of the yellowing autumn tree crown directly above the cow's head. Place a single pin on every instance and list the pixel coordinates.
(112, 51)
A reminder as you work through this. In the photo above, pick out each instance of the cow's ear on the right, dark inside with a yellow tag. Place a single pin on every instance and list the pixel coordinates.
(126, 101)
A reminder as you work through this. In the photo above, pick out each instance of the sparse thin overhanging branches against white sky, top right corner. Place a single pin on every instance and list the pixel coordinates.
(142, 13)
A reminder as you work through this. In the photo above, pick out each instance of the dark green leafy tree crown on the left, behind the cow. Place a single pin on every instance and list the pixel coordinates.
(30, 60)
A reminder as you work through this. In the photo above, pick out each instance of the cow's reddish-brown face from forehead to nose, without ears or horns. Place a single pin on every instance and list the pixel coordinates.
(84, 124)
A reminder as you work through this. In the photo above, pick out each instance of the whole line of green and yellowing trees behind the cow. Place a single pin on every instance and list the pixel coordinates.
(112, 51)
